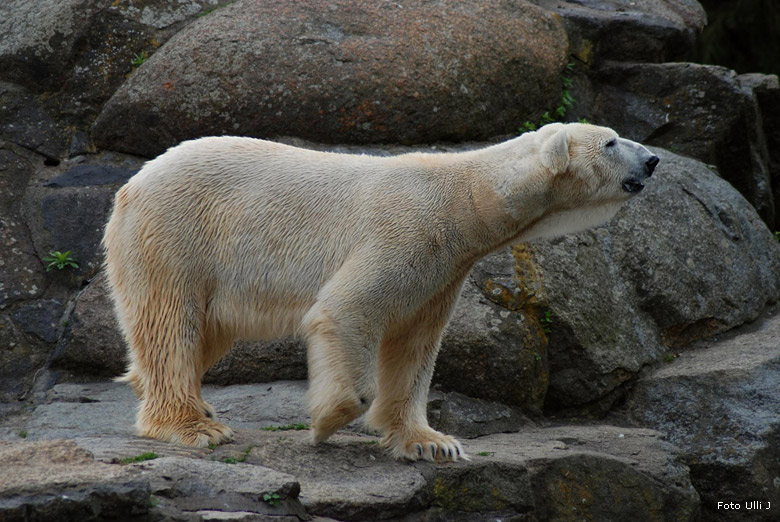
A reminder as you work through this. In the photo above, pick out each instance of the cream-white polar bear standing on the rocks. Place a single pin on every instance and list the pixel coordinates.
(363, 257)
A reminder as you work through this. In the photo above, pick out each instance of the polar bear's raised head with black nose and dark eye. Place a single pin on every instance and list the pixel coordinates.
(589, 172)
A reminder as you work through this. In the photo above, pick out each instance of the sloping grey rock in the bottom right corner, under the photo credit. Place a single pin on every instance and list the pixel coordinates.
(719, 403)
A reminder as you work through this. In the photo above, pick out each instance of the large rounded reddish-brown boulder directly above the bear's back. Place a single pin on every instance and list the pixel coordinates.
(343, 72)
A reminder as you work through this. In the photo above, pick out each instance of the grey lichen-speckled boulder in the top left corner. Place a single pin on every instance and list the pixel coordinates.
(82, 50)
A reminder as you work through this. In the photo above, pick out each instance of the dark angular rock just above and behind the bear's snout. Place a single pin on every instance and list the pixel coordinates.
(700, 111)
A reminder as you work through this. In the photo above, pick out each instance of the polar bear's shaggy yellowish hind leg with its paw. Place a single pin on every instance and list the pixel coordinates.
(166, 352)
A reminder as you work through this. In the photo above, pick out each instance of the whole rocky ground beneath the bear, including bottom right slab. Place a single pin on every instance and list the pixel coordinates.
(75, 457)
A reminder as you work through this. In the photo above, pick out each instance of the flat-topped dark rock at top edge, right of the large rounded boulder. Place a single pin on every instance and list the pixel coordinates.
(648, 31)
